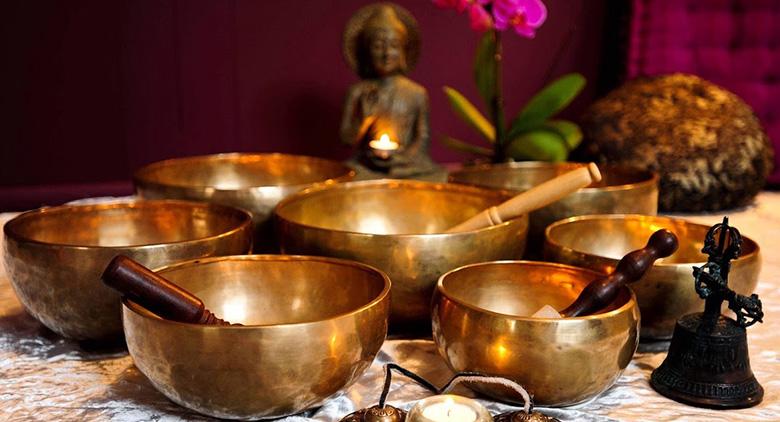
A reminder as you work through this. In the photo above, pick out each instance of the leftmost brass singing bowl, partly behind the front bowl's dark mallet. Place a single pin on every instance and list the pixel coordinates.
(55, 256)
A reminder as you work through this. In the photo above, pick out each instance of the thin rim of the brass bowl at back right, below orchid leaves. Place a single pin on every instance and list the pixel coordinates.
(651, 181)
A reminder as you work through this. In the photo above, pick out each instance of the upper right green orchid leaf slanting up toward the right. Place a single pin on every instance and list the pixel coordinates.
(546, 103)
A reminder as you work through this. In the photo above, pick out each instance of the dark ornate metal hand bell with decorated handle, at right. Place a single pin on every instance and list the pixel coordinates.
(708, 363)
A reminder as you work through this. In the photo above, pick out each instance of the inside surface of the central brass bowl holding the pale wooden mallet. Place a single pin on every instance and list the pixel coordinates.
(395, 208)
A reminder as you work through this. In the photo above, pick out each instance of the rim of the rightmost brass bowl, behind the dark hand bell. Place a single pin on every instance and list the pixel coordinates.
(637, 217)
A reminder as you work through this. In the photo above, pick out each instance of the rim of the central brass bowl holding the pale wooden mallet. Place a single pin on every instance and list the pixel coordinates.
(391, 184)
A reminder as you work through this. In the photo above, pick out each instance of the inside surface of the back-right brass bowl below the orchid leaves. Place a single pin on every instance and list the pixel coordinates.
(525, 175)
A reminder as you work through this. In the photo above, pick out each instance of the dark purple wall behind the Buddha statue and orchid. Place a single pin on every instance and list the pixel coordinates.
(92, 90)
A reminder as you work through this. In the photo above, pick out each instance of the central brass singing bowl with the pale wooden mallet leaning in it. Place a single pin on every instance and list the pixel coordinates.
(397, 226)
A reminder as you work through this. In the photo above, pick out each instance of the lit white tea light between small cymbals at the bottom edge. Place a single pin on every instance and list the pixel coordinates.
(448, 408)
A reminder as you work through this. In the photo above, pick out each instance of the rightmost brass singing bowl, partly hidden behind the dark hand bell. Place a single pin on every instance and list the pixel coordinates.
(667, 291)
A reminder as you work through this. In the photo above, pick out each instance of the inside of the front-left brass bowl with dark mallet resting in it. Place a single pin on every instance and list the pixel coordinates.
(283, 291)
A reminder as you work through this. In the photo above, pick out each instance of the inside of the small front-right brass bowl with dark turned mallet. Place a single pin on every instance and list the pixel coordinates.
(520, 289)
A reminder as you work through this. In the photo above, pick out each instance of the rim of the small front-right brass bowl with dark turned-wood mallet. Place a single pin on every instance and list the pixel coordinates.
(631, 302)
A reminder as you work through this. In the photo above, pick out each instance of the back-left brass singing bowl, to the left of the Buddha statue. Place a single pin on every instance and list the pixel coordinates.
(254, 182)
